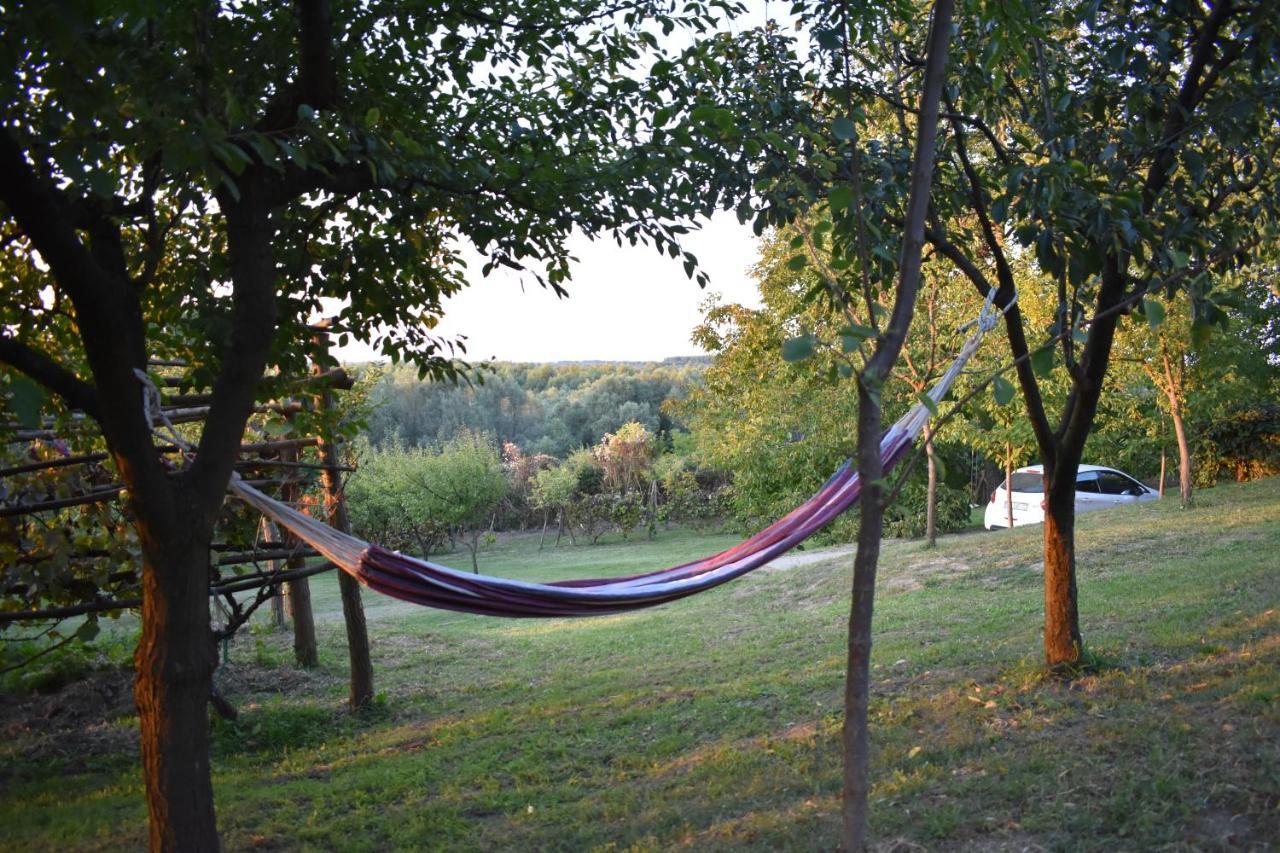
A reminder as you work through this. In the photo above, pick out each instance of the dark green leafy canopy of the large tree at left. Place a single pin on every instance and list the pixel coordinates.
(401, 138)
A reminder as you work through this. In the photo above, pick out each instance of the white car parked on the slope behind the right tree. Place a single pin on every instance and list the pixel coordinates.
(1096, 489)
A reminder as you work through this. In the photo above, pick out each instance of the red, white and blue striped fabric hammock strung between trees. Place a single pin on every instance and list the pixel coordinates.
(436, 586)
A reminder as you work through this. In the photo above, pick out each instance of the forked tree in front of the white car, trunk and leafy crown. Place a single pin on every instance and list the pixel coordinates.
(1131, 150)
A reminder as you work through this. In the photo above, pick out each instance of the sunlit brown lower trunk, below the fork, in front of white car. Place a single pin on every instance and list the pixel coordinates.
(1063, 641)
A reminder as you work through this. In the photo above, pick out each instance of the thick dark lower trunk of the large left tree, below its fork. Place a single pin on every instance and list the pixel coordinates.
(173, 681)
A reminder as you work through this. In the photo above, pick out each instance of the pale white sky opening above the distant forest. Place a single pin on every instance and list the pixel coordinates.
(625, 304)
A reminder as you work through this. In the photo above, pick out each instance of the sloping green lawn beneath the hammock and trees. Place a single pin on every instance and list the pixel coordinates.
(714, 723)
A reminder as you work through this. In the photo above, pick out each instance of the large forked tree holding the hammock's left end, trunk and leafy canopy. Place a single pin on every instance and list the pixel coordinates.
(191, 180)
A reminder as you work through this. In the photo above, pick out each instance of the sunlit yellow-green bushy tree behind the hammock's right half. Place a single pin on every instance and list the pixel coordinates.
(781, 430)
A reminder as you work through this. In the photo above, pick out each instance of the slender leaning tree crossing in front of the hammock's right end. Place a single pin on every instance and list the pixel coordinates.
(863, 270)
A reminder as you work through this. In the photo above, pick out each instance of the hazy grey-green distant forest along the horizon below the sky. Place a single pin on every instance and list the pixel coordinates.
(552, 409)
